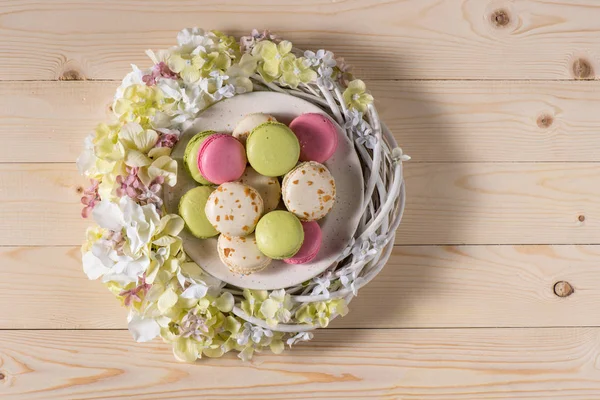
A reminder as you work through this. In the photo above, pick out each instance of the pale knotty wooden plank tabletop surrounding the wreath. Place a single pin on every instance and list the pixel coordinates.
(497, 103)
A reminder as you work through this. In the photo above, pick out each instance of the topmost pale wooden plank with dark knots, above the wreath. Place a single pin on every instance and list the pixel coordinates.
(429, 39)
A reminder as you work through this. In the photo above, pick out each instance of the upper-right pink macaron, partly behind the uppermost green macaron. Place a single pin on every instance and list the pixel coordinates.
(318, 136)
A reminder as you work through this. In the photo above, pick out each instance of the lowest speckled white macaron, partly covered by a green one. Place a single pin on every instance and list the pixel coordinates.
(241, 254)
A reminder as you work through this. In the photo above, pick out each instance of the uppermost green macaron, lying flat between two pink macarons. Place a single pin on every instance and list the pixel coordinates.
(272, 149)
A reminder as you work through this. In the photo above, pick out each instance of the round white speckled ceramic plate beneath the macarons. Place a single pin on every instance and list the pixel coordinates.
(338, 226)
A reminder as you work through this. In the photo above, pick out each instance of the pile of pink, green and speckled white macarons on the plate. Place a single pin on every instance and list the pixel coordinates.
(262, 189)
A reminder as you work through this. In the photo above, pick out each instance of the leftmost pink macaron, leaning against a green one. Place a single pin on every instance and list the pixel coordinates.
(222, 158)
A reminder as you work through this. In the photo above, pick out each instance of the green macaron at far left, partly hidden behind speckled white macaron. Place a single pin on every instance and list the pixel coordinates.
(191, 209)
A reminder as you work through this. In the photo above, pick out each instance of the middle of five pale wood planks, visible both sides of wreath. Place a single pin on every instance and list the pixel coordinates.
(466, 203)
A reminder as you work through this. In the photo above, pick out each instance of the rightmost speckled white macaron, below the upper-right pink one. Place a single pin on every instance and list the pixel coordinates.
(309, 191)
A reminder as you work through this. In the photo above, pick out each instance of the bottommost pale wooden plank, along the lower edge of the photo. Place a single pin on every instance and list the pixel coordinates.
(465, 364)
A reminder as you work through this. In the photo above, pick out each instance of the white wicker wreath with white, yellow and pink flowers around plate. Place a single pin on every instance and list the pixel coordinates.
(136, 249)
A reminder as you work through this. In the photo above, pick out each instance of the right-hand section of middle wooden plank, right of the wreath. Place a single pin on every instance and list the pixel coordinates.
(519, 203)
